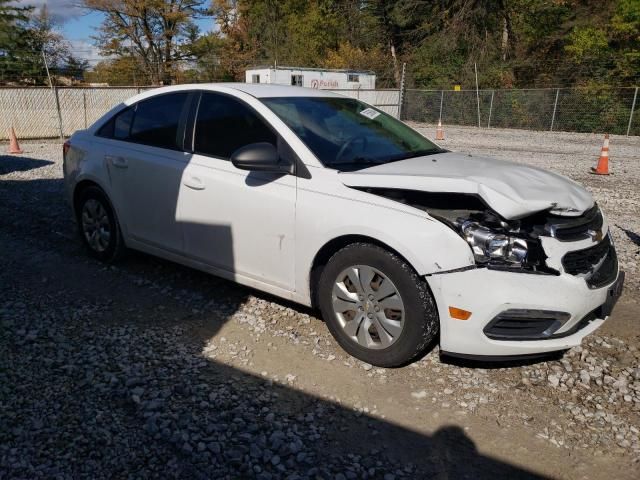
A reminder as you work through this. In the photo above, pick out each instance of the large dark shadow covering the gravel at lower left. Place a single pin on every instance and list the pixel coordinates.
(98, 381)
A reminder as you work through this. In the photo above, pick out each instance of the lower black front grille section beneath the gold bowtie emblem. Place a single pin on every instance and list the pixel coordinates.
(598, 264)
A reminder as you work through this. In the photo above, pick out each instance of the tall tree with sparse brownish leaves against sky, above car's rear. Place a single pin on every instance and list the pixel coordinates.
(152, 30)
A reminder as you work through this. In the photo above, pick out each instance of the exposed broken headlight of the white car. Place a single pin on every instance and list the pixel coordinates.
(491, 246)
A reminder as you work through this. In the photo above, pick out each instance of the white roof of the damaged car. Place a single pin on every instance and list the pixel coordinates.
(258, 90)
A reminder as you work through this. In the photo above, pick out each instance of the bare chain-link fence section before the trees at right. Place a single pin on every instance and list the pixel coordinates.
(562, 109)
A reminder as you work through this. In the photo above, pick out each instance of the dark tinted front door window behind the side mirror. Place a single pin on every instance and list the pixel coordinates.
(225, 124)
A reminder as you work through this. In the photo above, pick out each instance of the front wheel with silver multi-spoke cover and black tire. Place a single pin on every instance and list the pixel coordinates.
(376, 306)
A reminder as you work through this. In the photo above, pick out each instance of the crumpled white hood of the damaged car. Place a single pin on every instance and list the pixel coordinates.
(513, 190)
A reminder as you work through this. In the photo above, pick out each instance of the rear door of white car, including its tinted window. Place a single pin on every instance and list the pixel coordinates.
(146, 166)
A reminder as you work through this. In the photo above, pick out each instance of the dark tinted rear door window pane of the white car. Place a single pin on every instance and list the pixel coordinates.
(156, 121)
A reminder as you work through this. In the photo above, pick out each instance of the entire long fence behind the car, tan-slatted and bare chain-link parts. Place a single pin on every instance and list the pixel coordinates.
(46, 113)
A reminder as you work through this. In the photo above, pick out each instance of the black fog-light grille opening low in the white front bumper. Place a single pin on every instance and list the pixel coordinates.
(523, 324)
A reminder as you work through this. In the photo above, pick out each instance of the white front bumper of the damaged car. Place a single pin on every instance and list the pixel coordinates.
(487, 293)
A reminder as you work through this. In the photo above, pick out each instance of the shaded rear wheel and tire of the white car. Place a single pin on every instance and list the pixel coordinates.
(98, 226)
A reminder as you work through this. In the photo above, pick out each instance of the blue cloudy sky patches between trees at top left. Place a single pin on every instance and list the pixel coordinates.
(78, 25)
